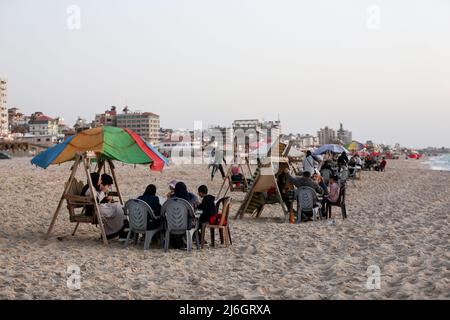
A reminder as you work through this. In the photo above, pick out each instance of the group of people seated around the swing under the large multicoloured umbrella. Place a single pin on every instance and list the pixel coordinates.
(114, 219)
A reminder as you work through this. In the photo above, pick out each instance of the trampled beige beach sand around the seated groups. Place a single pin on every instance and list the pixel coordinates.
(397, 220)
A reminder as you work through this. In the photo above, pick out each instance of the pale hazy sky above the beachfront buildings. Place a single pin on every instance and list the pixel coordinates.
(383, 71)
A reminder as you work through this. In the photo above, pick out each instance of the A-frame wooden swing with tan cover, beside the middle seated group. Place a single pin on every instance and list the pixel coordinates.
(255, 199)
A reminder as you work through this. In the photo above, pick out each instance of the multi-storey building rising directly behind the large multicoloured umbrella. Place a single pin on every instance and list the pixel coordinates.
(145, 124)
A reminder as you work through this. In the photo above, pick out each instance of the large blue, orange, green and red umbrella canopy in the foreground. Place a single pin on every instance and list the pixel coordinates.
(107, 143)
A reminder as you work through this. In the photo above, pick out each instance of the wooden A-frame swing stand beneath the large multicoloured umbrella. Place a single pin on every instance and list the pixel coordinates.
(76, 201)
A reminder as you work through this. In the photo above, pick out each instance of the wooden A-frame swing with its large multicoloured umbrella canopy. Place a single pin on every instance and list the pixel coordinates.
(100, 146)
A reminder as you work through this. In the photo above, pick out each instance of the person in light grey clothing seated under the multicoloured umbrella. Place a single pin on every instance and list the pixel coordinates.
(114, 218)
